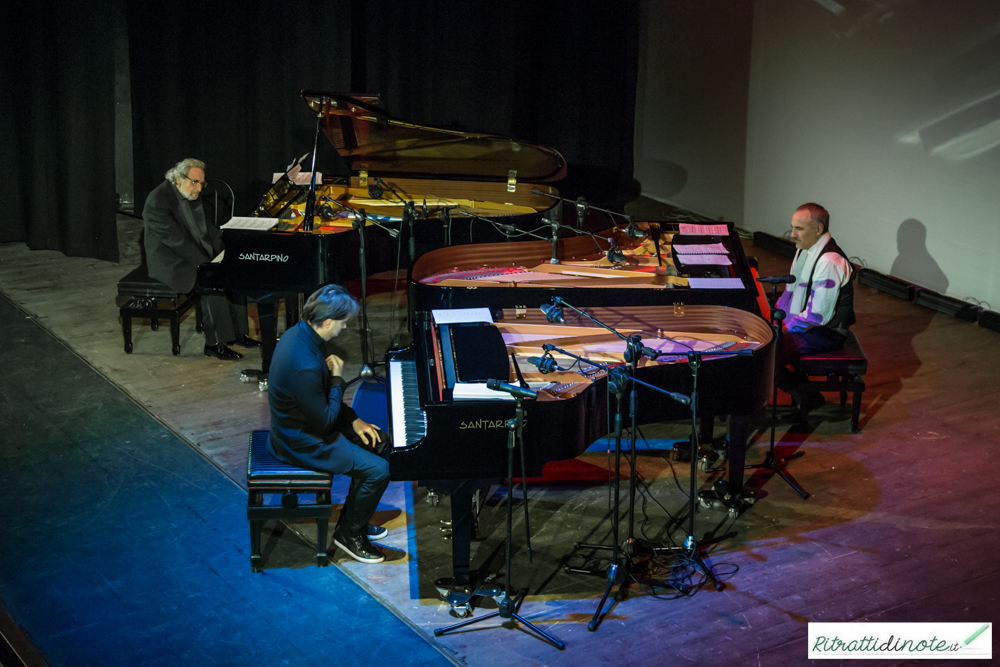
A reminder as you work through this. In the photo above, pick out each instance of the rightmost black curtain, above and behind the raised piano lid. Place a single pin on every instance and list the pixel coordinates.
(561, 74)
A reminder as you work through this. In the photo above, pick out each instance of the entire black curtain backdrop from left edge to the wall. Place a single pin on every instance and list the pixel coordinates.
(220, 81)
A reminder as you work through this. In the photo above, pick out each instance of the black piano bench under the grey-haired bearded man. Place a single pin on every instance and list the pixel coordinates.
(150, 299)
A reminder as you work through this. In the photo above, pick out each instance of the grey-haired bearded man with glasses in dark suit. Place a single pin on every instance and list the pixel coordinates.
(179, 235)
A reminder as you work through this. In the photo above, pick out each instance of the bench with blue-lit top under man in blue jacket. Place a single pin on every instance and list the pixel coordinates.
(267, 475)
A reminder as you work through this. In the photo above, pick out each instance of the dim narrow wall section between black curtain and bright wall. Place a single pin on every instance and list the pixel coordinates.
(691, 104)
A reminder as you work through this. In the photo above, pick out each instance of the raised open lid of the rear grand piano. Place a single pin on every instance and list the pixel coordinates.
(370, 140)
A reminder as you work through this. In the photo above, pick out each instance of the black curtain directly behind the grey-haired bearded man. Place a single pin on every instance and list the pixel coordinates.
(220, 82)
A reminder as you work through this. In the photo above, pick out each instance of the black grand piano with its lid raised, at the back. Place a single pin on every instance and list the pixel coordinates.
(458, 184)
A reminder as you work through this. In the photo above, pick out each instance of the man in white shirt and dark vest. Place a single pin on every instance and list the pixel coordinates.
(819, 305)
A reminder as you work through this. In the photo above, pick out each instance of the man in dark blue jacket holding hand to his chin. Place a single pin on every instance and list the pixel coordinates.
(312, 428)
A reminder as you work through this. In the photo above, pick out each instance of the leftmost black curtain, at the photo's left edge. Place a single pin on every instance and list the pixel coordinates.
(57, 113)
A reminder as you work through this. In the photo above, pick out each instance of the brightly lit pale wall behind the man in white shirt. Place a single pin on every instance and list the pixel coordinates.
(888, 114)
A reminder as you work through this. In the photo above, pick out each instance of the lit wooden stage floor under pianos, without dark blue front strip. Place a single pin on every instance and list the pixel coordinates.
(898, 528)
